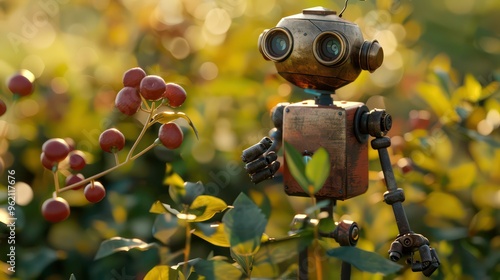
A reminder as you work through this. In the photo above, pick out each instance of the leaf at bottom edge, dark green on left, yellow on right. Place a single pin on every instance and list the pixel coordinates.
(217, 270)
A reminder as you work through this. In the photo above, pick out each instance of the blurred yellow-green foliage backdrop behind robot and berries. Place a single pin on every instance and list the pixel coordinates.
(439, 80)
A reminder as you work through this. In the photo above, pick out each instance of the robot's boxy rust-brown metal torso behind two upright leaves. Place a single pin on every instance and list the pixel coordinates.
(307, 126)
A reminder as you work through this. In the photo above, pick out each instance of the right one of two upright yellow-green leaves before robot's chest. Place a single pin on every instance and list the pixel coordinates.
(318, 169)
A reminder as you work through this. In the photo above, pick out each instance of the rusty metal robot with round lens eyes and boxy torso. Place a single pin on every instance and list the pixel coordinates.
(320, 52)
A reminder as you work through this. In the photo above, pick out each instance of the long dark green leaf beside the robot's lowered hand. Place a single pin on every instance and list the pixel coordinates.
(364, 260)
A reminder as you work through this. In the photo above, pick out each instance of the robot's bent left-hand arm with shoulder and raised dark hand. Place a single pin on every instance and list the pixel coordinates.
(261, 158)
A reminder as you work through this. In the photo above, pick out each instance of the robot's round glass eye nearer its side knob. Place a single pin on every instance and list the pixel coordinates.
(330, 48)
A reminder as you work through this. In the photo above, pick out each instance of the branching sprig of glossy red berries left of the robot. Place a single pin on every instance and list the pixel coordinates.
(140, 92)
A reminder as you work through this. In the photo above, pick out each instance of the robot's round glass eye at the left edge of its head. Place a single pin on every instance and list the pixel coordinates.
(276, 44)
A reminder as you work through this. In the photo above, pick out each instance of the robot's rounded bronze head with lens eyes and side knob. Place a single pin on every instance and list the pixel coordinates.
(319, 50)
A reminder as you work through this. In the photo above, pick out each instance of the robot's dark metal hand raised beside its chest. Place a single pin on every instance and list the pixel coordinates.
(260, 160)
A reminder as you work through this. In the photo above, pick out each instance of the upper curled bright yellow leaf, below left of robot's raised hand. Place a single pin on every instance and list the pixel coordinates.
(205, 207)
